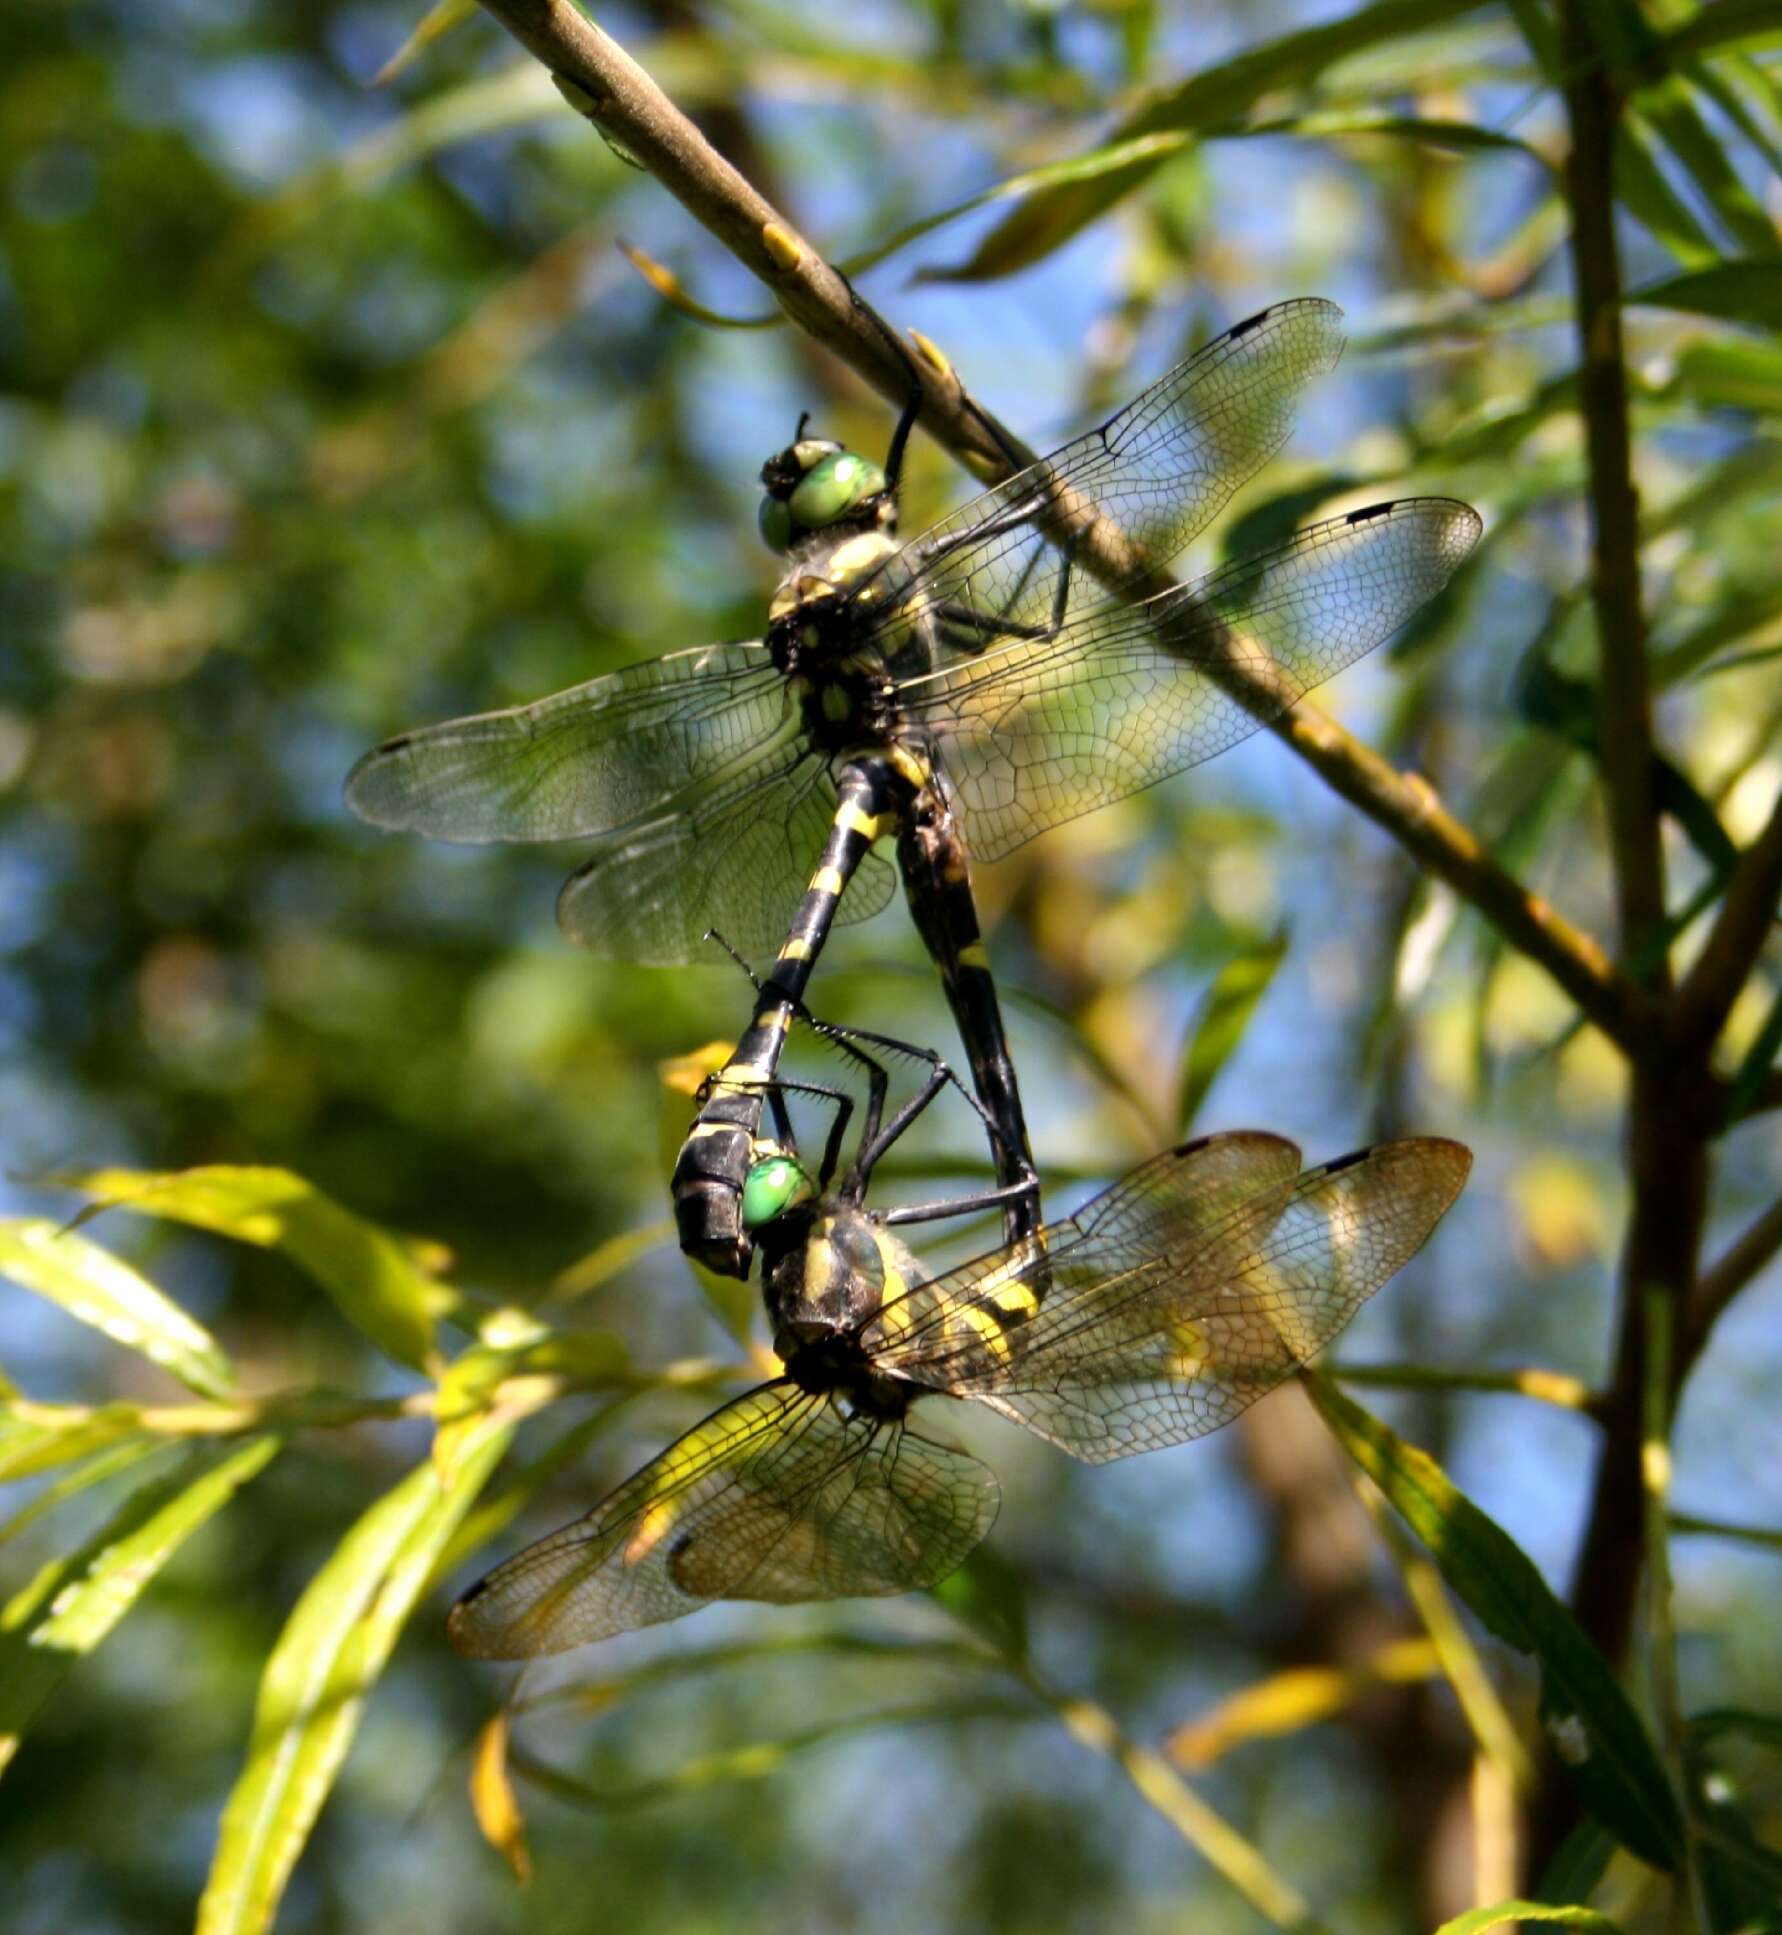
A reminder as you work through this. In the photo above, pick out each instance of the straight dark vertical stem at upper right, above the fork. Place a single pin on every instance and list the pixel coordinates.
(1622, 692)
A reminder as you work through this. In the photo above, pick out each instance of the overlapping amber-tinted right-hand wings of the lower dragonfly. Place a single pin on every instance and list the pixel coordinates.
(1125, 1357)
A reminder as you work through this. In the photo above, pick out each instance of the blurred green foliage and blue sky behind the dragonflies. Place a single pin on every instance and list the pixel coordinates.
(334, 407)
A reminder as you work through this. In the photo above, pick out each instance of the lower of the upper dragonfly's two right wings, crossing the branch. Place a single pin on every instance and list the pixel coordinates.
(1036, 732)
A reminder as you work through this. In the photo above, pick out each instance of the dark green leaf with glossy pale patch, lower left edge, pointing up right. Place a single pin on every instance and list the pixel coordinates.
(74, 1603)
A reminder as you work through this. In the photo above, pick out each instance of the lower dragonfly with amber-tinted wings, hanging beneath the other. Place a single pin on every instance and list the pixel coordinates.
(1152, 1317)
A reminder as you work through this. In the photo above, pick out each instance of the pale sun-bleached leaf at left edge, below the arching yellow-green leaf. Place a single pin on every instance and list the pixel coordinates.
(102, 1290)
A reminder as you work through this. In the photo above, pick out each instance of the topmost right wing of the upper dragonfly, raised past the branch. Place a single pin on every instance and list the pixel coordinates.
(1162, 469)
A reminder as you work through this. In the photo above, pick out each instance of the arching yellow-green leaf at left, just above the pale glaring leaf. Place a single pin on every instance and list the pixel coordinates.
(376, 1278)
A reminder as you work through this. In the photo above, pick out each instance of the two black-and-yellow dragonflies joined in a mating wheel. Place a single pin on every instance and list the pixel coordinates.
(1011, 669)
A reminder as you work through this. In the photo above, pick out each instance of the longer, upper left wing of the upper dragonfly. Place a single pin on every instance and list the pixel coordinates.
(624, 748)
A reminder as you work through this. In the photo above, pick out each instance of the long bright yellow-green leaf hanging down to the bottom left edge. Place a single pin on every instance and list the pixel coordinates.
(330, 1655)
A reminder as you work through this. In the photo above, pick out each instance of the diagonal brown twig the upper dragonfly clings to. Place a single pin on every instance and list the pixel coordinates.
(614, 92)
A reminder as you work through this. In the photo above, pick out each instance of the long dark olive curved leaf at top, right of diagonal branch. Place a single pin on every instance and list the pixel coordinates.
(1210, 102)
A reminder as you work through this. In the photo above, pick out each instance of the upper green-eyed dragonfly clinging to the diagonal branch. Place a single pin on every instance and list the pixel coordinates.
(984, 682)
